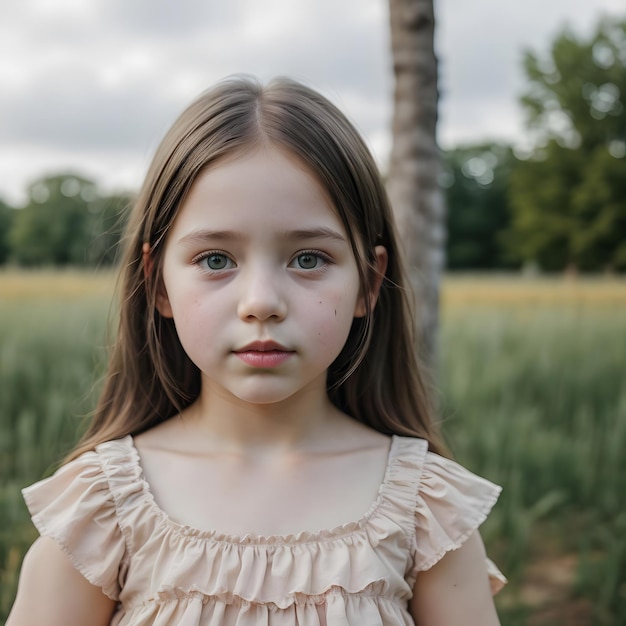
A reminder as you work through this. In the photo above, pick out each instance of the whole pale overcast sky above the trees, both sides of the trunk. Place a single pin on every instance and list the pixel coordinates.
(92, 85)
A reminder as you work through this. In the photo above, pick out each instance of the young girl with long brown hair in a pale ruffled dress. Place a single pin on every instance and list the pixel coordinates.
(263, 451)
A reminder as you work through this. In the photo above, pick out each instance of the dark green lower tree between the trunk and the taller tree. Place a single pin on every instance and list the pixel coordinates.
(476, 181)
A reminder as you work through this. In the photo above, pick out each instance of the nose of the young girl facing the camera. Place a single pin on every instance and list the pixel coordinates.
(262, 296)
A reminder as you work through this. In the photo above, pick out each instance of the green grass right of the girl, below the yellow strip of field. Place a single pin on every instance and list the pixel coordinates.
(536, 401)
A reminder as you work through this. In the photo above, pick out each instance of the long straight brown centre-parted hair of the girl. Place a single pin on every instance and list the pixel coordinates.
(377, 378)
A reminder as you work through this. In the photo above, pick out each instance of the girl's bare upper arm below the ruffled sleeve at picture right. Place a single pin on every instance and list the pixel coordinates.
(455, 591)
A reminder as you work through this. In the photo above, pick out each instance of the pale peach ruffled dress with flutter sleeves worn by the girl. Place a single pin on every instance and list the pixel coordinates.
(100, 509)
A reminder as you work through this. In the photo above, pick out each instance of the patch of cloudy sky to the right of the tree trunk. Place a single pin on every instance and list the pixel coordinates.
(481, 46)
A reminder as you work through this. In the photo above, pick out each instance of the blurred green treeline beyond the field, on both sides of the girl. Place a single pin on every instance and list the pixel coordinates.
(559, 206)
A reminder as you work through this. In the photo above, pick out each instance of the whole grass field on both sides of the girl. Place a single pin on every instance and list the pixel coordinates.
(532, 392)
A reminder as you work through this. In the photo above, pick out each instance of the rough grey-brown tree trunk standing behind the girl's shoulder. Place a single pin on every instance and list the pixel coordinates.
(415, 164)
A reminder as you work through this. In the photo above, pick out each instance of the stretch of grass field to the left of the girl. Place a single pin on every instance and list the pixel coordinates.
(52, 332)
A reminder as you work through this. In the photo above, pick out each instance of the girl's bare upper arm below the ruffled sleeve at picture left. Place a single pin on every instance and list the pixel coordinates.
(52, 592)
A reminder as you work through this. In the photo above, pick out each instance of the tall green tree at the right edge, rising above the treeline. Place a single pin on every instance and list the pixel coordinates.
(568, 198)
